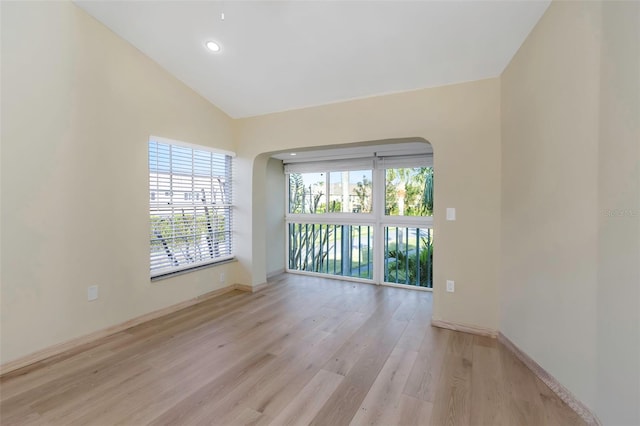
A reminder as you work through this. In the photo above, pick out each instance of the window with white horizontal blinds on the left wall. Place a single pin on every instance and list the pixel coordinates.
(190, 206)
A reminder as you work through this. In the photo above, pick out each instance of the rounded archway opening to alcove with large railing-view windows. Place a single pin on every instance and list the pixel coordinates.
(368, 218)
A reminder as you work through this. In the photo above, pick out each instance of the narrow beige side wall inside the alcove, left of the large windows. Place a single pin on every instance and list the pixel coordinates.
(274, 211)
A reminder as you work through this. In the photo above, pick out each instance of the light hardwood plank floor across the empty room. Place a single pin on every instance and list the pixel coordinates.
(303, 351)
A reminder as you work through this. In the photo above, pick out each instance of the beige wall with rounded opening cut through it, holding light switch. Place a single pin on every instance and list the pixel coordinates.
(461, 122)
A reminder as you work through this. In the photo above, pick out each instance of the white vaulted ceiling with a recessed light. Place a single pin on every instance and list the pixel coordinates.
(282, 55)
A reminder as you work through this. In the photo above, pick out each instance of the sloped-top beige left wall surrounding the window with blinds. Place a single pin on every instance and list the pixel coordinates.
(78, 106)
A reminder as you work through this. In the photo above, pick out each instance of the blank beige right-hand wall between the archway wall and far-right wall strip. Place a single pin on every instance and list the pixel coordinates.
(549, 195)
